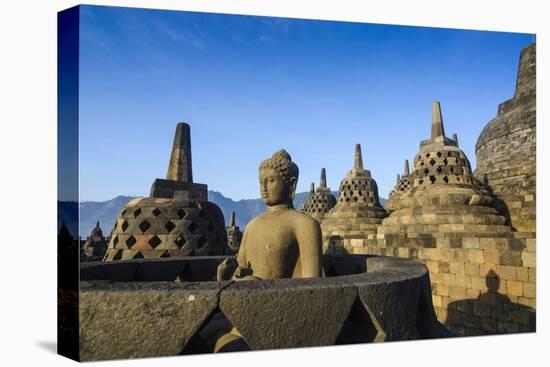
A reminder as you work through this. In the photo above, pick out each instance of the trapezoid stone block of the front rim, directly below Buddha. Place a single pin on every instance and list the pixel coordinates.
(288, 313)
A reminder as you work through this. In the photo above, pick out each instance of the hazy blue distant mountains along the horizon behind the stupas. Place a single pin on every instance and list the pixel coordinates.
(106, 211)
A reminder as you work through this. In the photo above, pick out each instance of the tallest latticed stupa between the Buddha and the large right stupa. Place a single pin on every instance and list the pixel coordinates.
(357, 212)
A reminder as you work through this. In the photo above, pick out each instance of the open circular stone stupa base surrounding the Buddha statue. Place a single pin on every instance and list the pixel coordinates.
(162, 307)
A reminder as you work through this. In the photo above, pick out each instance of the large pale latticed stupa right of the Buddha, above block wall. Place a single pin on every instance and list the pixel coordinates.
(443, 196)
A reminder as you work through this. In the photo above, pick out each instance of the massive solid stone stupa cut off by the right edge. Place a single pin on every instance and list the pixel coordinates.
(506, 149)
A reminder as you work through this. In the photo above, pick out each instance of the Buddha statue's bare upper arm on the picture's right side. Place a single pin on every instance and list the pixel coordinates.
(309, 240)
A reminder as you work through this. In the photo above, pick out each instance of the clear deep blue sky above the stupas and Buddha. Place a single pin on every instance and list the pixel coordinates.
(249, 86)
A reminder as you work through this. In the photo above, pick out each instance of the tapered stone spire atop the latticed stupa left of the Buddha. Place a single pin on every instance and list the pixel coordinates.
(179, 168)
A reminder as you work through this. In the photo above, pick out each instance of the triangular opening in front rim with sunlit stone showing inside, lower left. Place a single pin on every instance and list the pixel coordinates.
(214, 336)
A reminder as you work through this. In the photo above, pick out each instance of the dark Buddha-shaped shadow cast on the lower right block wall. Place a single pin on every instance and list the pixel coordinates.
(490, 313)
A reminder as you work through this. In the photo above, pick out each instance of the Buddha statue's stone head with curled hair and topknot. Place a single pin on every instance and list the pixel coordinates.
(278, 179)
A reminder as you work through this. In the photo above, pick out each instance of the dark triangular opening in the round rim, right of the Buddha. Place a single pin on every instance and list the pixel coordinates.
(360, 327)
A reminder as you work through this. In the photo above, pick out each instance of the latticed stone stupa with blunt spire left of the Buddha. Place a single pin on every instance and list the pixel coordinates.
(175, 220)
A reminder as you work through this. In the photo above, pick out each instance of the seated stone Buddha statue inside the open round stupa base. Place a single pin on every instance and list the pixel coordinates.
(281, 242)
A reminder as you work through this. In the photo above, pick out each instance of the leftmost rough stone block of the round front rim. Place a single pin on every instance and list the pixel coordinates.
(133, 320)
